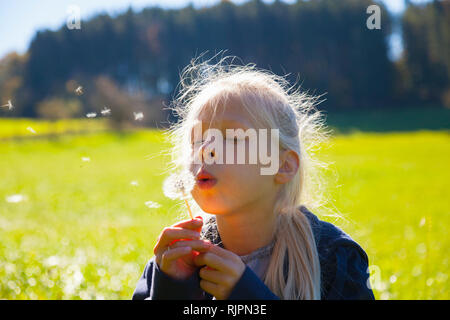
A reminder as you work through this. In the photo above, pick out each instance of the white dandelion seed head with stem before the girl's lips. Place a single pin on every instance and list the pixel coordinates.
(179, 186)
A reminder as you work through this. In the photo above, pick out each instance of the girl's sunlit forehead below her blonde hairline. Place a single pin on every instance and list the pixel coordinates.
(225, 111)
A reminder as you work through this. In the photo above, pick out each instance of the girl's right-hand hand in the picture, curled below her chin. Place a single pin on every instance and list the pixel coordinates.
(222, 270)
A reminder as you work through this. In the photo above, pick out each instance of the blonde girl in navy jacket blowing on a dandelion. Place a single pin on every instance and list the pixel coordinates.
(259, 240)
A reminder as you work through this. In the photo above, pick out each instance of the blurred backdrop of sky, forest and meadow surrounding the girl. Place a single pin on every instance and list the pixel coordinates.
(84, 90)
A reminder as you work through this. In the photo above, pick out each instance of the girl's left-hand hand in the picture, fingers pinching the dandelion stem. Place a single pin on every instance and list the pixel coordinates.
(176, 247)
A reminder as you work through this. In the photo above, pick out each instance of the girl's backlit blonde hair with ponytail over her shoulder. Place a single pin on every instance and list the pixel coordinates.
(274, 104)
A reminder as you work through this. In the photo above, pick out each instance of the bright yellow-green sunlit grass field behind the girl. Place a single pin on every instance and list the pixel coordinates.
(83, 231)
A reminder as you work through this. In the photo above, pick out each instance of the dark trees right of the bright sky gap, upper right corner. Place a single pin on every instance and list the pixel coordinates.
(426, 63)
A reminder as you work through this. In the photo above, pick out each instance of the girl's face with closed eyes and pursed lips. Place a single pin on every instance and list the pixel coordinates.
(237, 186)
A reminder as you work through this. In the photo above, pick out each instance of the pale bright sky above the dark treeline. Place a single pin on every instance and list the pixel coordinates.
(20, 19)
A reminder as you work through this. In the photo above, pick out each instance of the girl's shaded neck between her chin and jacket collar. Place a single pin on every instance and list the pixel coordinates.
(248, 228)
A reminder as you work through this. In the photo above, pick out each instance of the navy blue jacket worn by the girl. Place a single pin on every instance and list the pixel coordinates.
(343, 263)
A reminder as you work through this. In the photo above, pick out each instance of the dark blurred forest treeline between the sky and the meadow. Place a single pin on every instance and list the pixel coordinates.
(133, 61)
